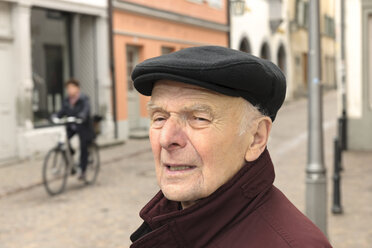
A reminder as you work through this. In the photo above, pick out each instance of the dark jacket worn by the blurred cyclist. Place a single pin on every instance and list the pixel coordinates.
(81, 110)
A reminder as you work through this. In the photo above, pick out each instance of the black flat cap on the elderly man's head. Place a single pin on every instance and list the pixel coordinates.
(226, 71)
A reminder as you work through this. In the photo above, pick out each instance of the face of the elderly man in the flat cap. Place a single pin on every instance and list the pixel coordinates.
(195, 139)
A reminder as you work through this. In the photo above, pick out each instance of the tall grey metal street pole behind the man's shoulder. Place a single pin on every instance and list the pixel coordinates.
(316, 180)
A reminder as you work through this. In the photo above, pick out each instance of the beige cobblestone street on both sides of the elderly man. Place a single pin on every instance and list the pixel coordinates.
(105, 214)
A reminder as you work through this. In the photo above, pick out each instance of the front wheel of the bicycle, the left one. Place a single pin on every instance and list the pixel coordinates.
(55, 171)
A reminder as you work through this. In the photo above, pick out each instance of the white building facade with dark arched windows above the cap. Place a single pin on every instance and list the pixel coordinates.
(261, 29)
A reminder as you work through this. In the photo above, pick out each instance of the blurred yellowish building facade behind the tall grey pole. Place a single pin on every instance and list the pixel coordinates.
(299, 39)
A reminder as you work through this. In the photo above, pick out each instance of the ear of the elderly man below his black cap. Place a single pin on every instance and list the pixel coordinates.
(260, 135)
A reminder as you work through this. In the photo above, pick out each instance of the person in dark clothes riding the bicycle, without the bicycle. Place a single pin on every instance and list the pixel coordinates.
(77, 104)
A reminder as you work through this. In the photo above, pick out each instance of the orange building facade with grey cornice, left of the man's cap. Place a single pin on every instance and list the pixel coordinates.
(147, 28)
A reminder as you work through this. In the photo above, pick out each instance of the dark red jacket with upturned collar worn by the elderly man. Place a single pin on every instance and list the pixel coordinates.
(247, 211)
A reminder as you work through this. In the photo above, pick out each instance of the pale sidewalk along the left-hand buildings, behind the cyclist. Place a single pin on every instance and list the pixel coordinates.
(25, 175)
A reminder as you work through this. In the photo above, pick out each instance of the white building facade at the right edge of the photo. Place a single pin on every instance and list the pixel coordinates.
(358, 72)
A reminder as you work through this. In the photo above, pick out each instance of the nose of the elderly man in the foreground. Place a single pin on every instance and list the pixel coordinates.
(173, 135)
